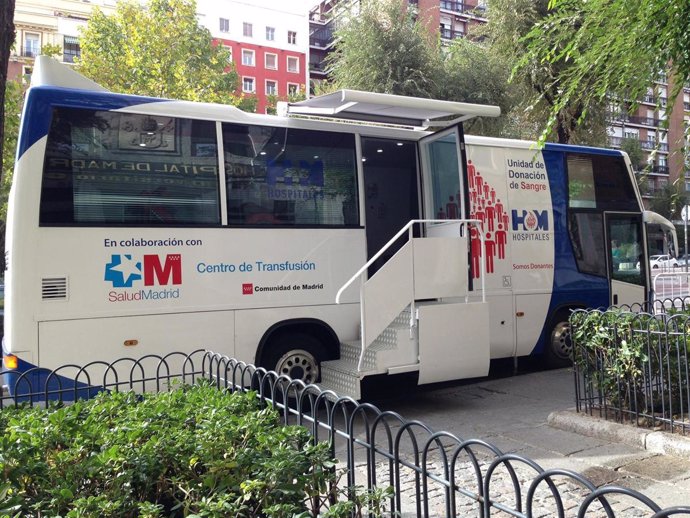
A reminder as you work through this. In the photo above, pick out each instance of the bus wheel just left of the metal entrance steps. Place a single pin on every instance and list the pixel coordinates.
(296, 355)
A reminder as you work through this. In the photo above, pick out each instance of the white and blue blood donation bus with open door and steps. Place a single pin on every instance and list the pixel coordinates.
(142, 226)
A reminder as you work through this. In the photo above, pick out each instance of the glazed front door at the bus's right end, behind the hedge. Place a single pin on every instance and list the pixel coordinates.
(626, 258)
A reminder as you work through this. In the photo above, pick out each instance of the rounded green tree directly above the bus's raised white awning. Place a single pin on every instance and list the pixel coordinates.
(381, 48)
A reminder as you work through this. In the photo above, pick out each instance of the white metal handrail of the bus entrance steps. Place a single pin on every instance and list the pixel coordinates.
(406, 228)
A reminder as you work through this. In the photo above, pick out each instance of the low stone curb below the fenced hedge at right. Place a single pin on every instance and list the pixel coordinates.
(656, 442)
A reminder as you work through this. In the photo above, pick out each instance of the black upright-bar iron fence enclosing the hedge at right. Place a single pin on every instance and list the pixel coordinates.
(632, 365)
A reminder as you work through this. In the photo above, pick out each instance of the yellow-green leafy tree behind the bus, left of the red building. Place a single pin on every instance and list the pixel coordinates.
(157, 49)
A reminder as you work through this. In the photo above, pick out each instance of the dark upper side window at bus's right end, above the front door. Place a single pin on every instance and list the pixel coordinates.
(601, 182)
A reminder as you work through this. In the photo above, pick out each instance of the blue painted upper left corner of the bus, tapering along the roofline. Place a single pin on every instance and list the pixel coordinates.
(40, 101)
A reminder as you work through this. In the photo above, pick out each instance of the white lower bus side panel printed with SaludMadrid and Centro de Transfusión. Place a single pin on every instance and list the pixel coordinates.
(191, 278)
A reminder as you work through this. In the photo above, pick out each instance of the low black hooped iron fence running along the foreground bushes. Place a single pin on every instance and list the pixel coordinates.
(431, 473)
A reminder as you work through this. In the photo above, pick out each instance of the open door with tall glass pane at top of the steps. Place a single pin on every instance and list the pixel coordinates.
(443, 178)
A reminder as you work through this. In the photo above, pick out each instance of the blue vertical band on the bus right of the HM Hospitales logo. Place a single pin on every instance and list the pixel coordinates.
(569, 284)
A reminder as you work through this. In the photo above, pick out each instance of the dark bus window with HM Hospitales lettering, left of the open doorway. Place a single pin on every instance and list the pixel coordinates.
(288, 177)
